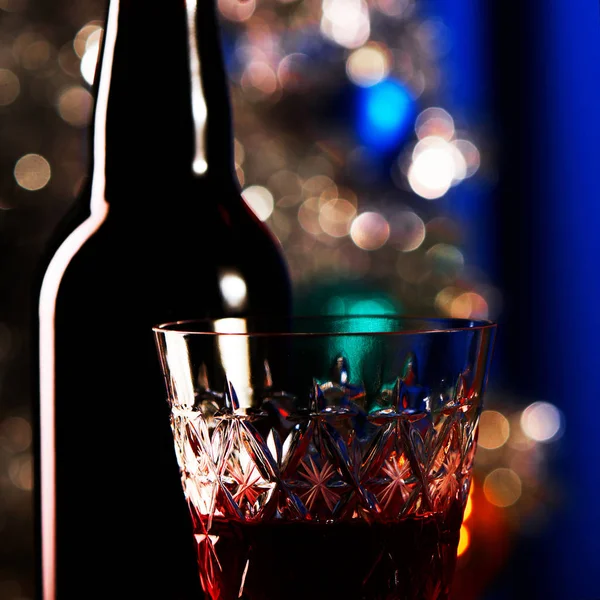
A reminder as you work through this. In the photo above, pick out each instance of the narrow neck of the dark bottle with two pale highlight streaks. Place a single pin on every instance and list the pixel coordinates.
(162, 111)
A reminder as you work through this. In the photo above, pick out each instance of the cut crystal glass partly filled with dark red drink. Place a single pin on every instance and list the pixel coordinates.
(326, 458)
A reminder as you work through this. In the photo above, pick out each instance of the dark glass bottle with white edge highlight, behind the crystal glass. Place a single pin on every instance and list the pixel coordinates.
(160, 232)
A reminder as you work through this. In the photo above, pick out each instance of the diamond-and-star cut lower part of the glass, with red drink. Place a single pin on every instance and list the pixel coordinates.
(403, 463)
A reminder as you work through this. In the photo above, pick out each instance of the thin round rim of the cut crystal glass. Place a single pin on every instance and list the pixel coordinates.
(444, 325)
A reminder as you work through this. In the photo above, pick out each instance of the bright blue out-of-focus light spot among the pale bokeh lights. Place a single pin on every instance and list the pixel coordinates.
(386, 111)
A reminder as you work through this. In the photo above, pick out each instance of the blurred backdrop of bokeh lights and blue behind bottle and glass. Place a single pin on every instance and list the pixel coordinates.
(426, 156)
